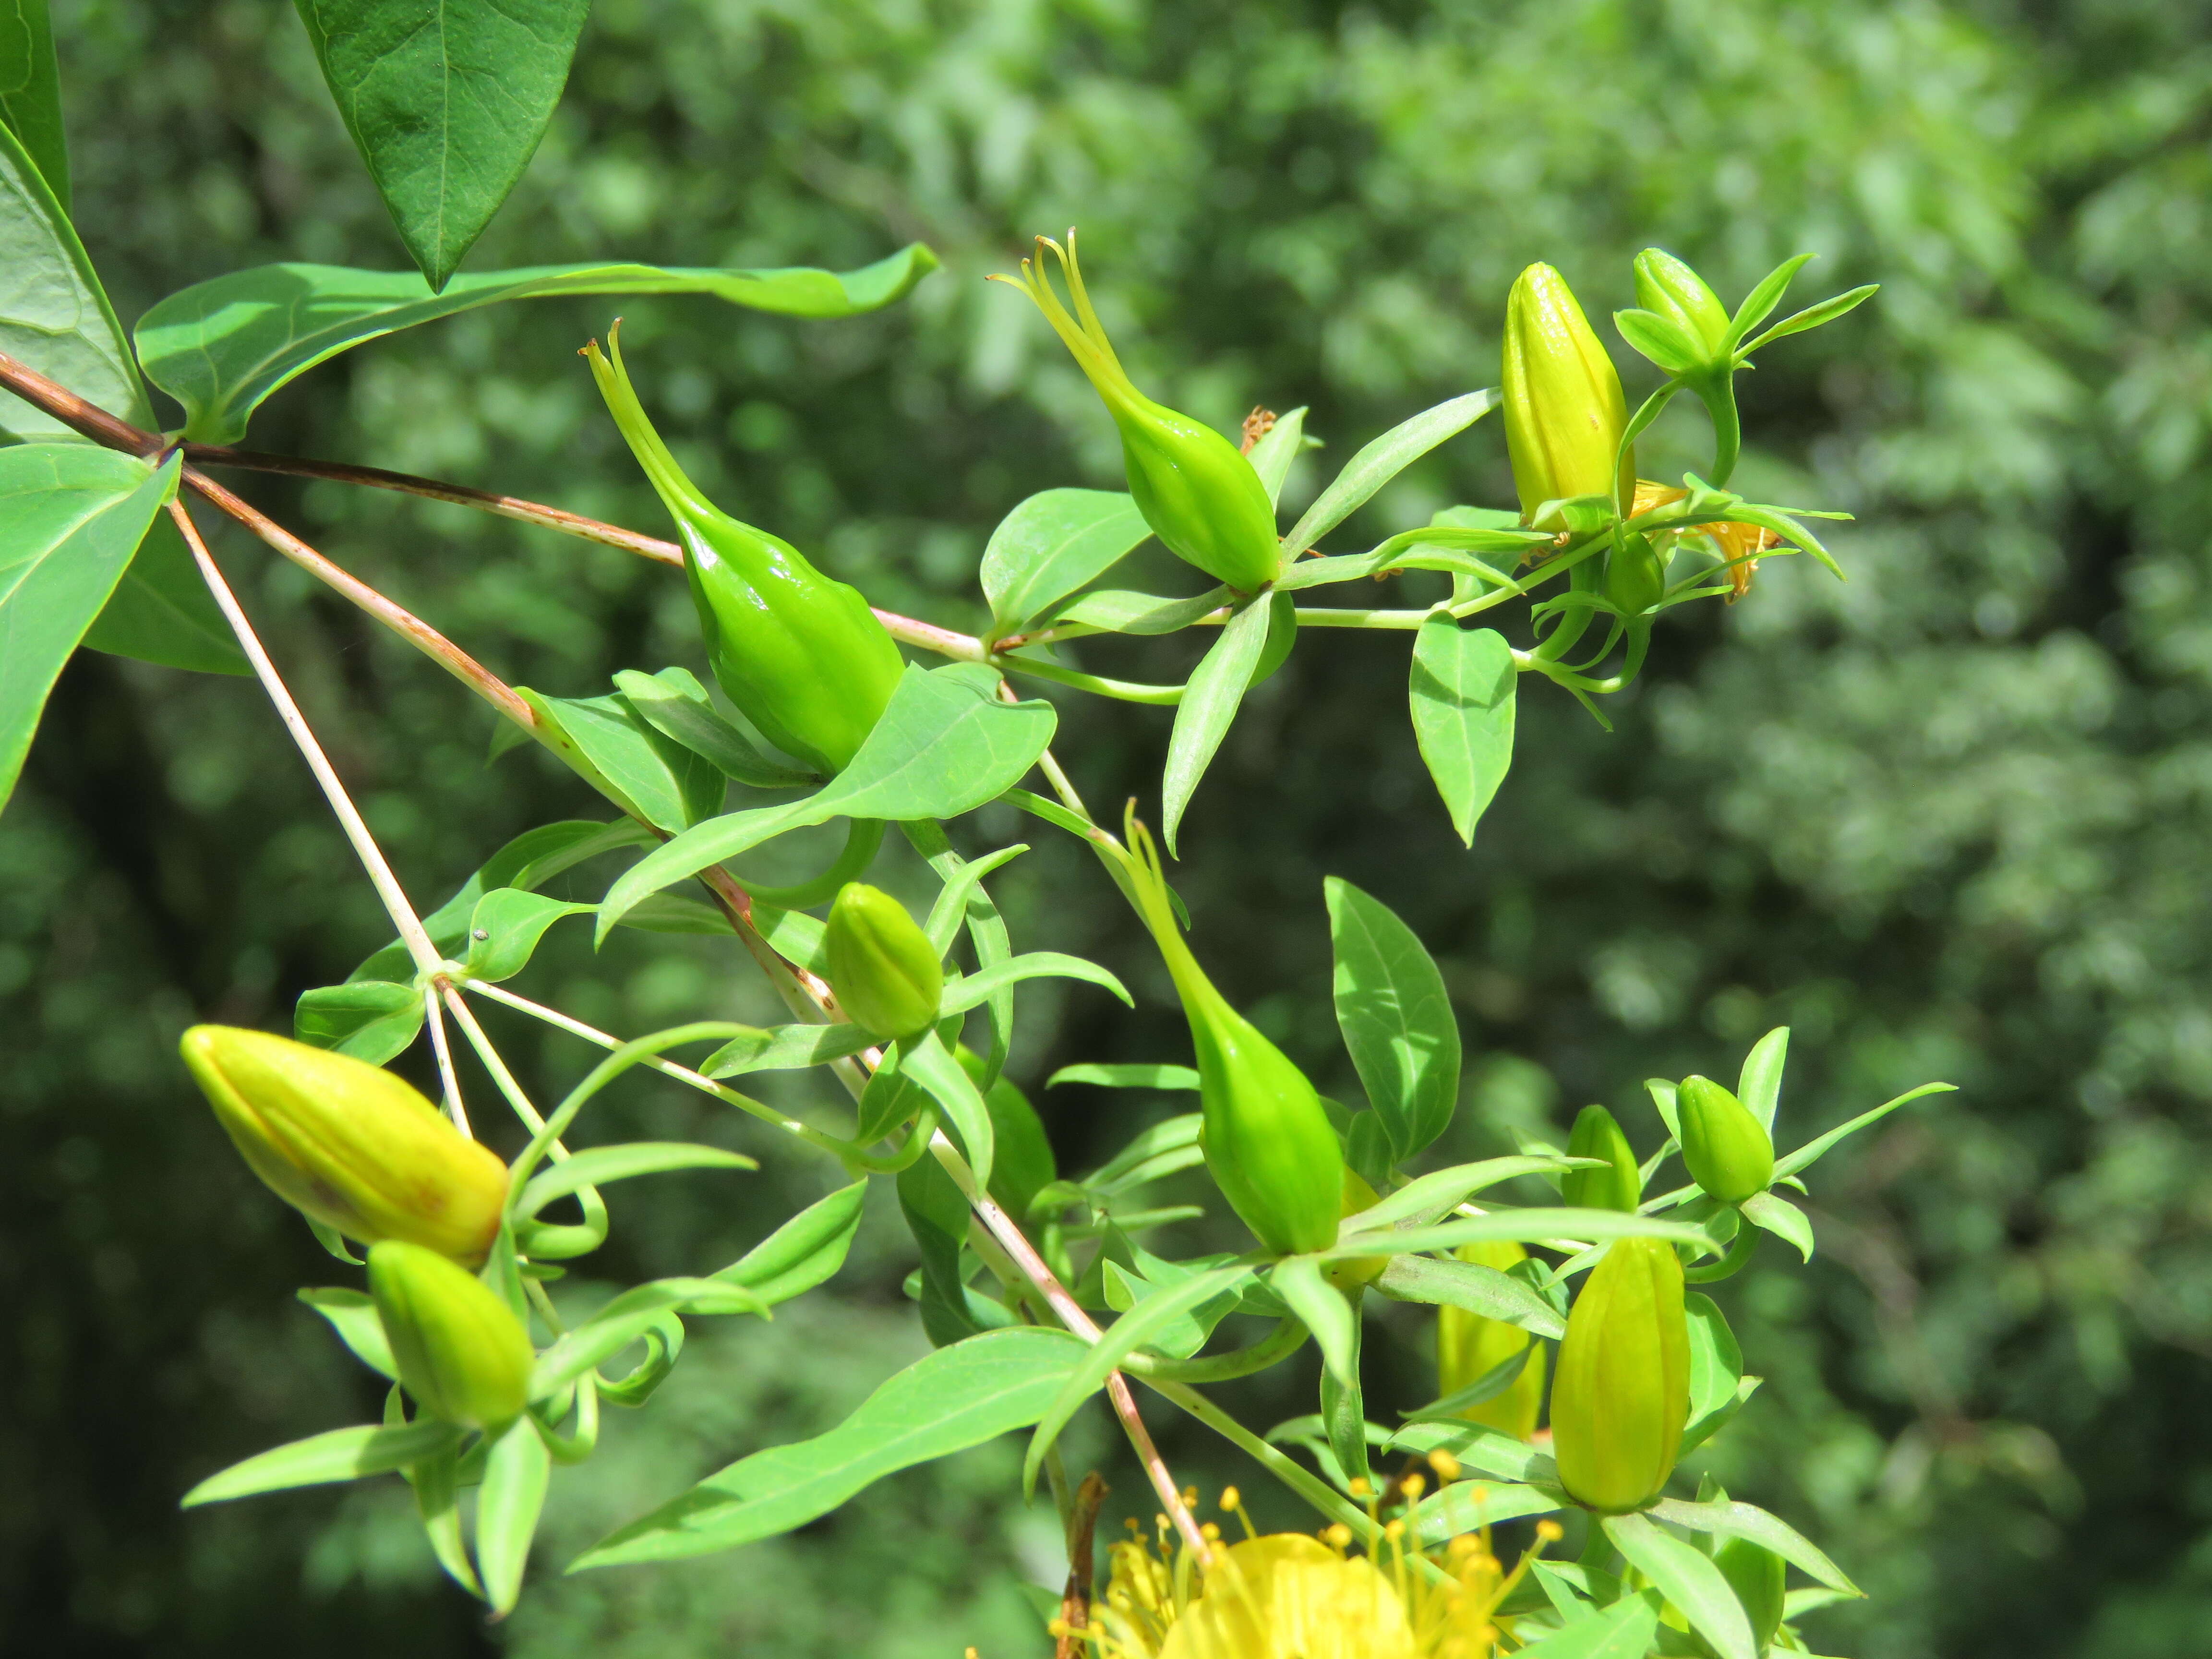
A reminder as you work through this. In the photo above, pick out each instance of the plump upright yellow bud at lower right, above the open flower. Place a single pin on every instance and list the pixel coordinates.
(1623, 1392)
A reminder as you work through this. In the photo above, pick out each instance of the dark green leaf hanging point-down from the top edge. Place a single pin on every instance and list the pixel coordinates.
(446, 103)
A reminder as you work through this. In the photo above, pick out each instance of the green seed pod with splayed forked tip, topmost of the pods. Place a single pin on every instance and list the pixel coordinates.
(1193, 486)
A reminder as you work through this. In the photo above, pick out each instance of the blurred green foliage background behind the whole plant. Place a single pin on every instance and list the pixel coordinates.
(1948, 820)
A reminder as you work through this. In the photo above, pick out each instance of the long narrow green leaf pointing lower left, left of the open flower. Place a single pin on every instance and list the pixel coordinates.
(943, 1404)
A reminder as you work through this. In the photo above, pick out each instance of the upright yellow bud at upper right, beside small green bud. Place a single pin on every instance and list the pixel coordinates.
(1565, 410)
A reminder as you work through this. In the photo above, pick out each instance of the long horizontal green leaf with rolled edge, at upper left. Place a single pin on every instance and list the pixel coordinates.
(225, 346)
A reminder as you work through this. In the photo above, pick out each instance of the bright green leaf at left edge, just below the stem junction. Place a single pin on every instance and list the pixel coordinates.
(70, 521)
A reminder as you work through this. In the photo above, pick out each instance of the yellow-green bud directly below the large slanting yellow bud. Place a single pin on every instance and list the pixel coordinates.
(461, 1350)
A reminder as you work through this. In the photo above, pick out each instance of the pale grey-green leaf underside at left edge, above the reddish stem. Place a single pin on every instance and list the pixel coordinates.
(54, 315)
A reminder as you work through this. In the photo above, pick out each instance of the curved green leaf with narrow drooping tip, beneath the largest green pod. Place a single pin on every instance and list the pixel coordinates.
(943, 747)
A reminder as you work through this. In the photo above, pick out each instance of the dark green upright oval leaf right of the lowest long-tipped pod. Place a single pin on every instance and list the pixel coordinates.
(1397, 1019)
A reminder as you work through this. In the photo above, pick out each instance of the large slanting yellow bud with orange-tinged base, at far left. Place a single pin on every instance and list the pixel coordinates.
(348, 1145)
